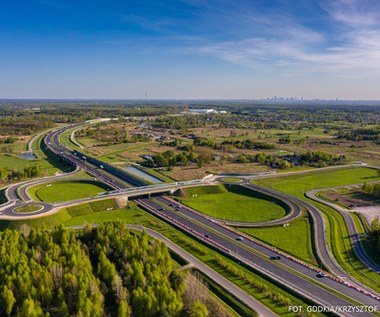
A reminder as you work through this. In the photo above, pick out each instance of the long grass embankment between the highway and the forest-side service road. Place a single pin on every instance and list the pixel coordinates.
(267, 292)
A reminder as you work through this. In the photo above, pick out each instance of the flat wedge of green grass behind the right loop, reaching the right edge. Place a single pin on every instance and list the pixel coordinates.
(299, 184)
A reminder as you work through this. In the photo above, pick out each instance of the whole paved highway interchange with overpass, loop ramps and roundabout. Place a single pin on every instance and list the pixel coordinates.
(288, 271)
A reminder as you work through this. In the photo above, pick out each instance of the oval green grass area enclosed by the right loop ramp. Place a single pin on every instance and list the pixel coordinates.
(232, 203)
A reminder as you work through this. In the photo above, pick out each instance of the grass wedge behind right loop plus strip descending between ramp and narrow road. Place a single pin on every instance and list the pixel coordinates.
(337, 233)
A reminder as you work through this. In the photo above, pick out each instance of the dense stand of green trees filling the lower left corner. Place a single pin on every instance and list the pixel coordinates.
(103, 271)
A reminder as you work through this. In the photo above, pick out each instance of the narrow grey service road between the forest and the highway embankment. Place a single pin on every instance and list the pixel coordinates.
(248, 300)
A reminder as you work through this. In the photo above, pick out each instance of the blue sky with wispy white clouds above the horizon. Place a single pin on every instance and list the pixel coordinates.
(246, 49)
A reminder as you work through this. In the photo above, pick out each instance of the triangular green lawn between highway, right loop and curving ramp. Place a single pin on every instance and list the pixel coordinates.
(293, 239)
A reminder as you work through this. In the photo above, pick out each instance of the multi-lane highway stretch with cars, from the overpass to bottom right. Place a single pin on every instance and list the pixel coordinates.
(257, 255)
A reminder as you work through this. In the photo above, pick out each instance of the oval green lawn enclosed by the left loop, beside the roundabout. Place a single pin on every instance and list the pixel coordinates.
(67, 190)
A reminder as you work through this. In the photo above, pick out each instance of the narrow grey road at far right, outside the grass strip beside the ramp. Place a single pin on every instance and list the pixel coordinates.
(354, 235)
